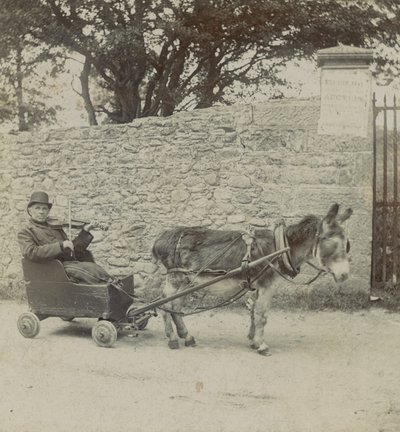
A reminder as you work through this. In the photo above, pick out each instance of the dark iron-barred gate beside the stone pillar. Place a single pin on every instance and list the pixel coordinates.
(386, 207)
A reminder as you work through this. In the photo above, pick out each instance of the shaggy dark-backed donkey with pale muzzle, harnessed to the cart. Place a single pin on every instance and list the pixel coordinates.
(190, 253)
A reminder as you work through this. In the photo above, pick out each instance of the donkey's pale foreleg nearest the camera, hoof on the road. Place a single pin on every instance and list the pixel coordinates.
(261, 309)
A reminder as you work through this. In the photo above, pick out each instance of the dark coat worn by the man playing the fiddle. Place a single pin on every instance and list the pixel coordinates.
(41, 242)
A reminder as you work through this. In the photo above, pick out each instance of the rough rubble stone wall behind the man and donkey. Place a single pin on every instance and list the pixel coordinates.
(223, 167)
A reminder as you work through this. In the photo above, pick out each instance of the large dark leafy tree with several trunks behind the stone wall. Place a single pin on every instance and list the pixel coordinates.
(156, 57)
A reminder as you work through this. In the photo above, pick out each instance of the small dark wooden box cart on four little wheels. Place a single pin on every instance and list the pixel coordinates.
(52, 294)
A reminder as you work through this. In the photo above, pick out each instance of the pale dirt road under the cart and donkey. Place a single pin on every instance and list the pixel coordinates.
(329, 371)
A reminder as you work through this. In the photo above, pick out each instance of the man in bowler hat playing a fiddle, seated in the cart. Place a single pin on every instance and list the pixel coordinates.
(40, 241)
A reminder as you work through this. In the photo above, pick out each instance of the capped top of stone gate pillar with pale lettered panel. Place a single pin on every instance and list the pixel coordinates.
(345, 90)
